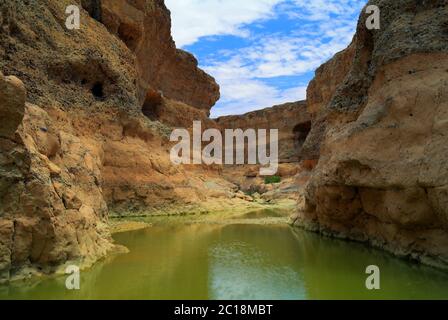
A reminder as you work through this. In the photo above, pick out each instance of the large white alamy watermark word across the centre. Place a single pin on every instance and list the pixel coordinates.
(236, 147)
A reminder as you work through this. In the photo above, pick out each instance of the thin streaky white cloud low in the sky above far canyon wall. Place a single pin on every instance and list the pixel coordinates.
(242, 76)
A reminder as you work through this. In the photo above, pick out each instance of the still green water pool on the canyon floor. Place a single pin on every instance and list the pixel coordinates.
(203, 261)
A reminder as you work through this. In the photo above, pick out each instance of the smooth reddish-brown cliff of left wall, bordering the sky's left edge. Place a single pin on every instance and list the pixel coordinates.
(145, 27)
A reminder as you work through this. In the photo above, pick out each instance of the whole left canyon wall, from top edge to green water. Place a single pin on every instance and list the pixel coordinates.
(84, 132)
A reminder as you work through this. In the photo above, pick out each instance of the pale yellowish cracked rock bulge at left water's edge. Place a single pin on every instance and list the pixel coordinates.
(51, 209)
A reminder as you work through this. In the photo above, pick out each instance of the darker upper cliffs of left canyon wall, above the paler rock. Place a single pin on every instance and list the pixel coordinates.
(74, 67)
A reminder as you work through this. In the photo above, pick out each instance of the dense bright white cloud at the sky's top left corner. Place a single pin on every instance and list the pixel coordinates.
(193, 19)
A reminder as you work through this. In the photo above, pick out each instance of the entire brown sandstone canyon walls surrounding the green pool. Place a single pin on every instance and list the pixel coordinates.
(86, 117)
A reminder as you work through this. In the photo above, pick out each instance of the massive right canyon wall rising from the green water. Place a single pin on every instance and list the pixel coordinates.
(382, 174)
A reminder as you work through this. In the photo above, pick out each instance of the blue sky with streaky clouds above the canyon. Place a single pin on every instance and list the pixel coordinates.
(262, 52)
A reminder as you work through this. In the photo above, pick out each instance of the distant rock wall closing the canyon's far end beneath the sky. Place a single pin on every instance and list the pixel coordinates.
(291, 119)
